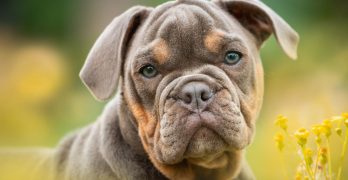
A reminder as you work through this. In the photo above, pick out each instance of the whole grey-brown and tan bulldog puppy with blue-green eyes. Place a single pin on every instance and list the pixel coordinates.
(189, 83)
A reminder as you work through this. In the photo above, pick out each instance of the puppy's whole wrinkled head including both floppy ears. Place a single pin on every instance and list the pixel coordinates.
(192, 78)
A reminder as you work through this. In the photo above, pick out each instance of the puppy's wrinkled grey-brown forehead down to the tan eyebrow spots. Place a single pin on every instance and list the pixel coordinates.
(188, 27)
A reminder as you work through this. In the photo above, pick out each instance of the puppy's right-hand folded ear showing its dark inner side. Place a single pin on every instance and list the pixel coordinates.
(262, 21)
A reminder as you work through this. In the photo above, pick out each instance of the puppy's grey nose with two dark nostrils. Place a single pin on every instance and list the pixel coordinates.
(196, 94)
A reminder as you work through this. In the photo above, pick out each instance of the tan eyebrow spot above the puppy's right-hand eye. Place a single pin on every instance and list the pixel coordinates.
(213, 41)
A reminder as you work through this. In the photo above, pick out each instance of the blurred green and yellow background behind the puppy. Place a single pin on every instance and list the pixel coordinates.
(43, 45)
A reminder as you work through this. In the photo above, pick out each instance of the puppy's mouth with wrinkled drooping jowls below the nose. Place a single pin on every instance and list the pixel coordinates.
(202, 139)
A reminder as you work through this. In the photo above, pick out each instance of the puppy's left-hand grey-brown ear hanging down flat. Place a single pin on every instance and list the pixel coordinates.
(105, 60)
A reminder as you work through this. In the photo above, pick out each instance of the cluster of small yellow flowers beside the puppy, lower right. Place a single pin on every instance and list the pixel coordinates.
(316, 163)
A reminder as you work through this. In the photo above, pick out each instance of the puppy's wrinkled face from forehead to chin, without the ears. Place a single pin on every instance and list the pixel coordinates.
(201, 105)
